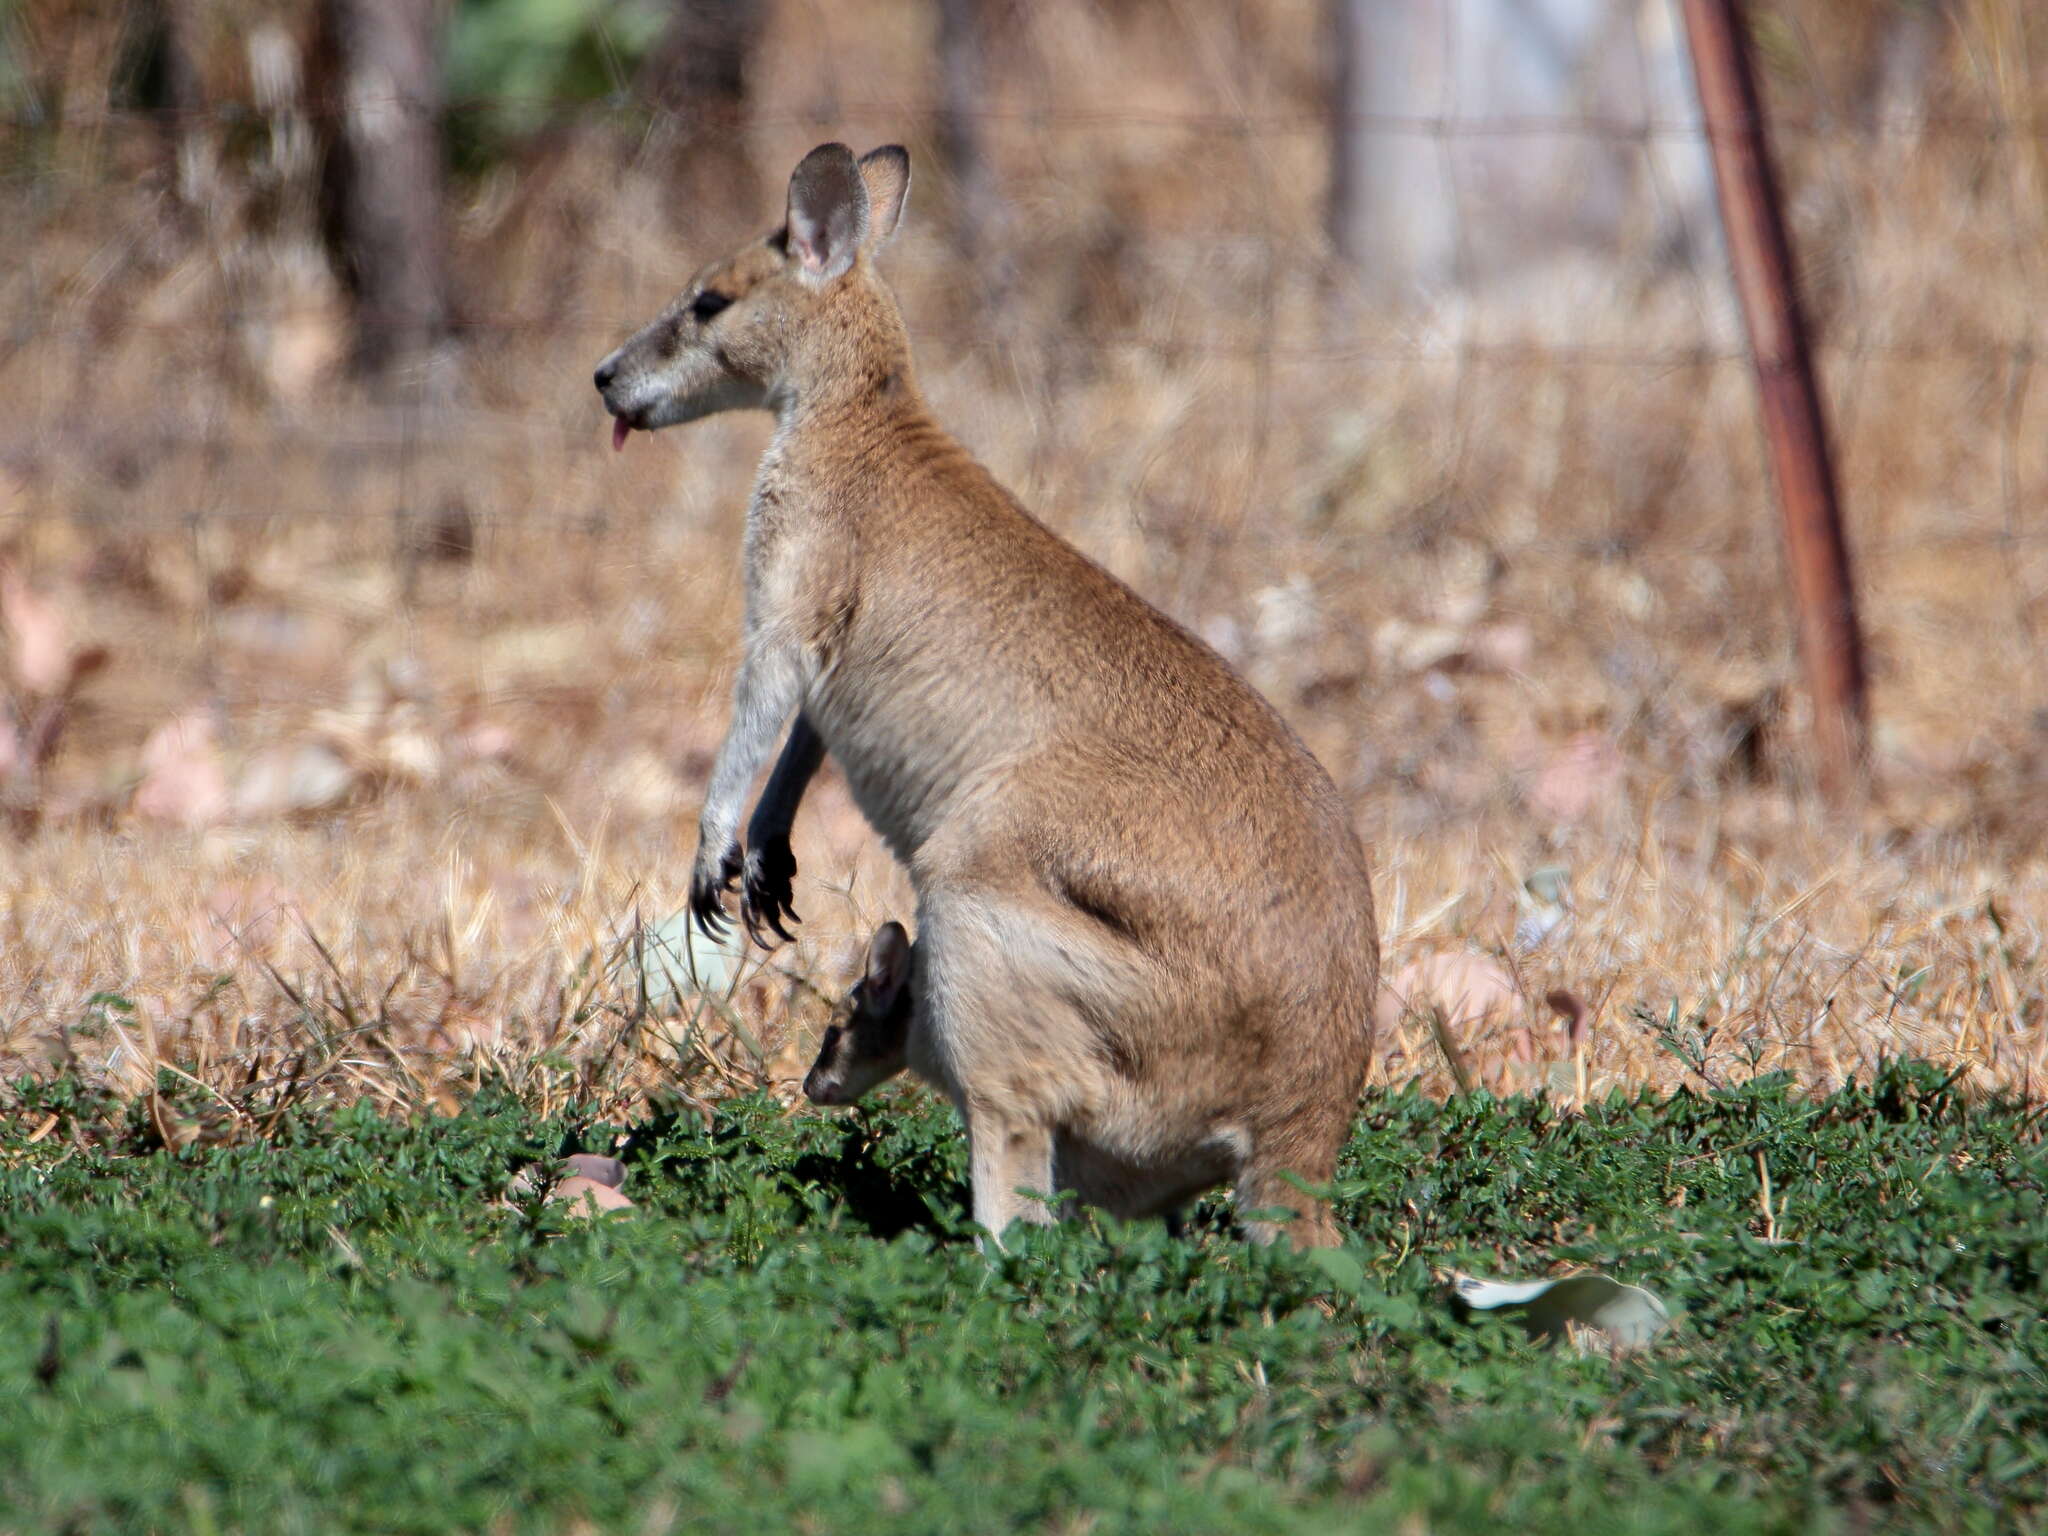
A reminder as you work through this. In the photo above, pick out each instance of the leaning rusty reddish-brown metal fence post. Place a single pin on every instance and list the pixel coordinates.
(1818, 550)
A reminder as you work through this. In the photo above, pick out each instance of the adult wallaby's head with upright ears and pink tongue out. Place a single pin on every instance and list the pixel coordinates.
(783, 318)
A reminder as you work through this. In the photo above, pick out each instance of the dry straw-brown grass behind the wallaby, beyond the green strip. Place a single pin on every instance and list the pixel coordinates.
(1510, 568)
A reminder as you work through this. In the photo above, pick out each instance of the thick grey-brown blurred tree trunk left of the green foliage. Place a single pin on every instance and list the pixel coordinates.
(378, 71)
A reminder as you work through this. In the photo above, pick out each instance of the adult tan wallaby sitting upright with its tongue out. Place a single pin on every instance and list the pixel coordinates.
(1144, 916)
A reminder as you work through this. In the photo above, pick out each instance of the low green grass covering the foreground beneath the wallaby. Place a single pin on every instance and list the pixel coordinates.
(335, 1332)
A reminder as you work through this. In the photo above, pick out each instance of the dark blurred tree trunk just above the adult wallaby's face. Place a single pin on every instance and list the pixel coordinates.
(697, 77)
